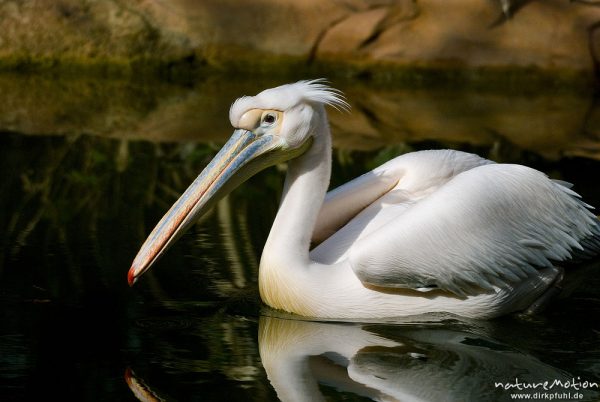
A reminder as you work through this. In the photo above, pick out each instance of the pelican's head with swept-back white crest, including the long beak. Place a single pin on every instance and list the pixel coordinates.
(272, 127)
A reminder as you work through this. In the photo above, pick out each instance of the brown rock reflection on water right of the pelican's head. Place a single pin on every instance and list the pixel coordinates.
(552, 125)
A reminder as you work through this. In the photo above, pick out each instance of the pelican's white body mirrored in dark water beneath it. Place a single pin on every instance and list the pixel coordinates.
(396, 363)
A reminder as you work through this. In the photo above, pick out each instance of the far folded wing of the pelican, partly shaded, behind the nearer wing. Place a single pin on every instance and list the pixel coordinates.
(361, 205)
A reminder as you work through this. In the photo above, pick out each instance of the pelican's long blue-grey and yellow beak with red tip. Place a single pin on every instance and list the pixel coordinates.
(245, 154)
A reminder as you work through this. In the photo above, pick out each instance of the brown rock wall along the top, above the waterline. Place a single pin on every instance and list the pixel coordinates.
(558, 35)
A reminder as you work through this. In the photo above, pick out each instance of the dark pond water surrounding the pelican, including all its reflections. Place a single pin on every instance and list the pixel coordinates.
(89, 166)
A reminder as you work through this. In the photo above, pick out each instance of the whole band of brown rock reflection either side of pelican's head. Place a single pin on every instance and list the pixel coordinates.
(550, 123)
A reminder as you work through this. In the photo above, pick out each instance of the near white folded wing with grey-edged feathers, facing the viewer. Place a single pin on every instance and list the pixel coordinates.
(486, 227)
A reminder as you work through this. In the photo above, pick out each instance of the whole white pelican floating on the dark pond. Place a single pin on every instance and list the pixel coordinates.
(428, 231)
